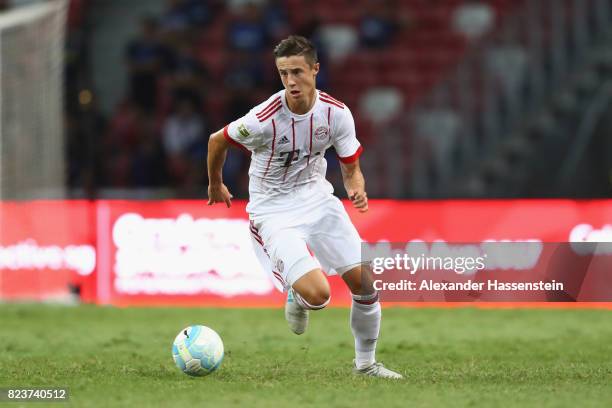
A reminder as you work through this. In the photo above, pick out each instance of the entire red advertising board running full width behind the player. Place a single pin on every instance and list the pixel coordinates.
(187, 253)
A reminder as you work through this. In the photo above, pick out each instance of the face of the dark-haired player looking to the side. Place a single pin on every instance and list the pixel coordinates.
(299, 77)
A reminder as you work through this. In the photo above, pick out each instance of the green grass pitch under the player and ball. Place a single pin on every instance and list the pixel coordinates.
(451, 357)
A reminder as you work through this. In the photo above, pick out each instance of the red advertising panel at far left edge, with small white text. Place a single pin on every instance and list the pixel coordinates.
(47, 247)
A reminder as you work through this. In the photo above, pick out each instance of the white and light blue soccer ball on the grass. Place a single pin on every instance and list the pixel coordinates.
(197, 350)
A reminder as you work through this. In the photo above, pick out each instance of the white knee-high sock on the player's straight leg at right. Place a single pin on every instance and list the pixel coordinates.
(365, 325)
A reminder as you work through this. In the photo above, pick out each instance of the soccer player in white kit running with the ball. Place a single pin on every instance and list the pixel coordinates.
(292, 210)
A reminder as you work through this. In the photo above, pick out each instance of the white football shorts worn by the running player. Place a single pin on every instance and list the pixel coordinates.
(317, 235)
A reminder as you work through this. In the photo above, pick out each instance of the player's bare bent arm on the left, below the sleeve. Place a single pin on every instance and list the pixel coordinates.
(217, 152)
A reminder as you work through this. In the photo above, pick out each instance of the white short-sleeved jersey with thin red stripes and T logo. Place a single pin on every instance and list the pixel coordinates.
(287, 150)
